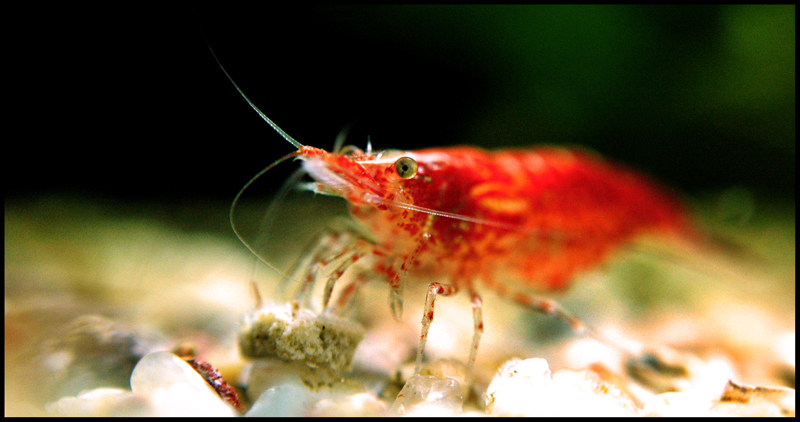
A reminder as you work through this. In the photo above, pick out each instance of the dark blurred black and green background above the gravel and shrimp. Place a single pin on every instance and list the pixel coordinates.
(125, 101)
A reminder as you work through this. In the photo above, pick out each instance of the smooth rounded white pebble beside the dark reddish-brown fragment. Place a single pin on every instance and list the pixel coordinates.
(173, 388)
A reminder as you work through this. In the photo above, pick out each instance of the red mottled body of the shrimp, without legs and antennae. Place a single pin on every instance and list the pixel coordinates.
(531, 219)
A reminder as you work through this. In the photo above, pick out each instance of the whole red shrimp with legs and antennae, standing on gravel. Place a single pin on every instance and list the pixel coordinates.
(519, 221)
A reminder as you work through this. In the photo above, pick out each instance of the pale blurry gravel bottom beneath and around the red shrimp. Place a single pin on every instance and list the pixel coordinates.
(91, 288)
